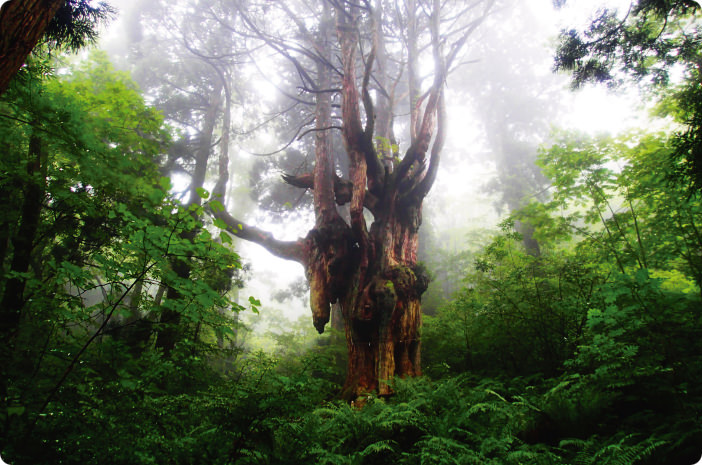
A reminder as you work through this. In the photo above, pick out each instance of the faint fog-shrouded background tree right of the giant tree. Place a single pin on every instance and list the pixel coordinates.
(515, 102)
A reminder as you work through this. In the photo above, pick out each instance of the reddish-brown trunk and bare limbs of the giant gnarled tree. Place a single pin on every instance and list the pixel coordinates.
(372, 274)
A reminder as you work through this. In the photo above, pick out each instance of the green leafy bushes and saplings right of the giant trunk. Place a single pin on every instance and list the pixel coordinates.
(599, 333)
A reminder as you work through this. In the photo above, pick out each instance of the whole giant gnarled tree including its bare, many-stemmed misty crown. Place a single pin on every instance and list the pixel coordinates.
(356, 64)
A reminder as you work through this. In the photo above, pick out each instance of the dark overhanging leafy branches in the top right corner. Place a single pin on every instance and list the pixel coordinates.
(652, 40)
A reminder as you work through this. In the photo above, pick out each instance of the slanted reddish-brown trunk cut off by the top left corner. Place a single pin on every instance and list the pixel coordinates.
(22, 24)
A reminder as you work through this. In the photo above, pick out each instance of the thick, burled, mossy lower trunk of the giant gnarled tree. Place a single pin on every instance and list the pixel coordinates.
(378, 284)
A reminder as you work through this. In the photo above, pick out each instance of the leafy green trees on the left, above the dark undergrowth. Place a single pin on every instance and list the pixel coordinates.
(90, 238)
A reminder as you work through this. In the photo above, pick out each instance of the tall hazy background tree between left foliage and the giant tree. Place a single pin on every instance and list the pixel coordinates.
(190, 76)
